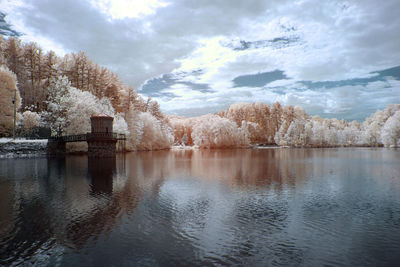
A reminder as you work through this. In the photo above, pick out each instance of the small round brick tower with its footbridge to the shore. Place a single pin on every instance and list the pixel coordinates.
(101, 140)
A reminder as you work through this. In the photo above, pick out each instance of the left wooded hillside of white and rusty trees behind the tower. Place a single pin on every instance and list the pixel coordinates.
(61, 93)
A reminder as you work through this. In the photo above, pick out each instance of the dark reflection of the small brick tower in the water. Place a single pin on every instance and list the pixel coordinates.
(101, 171)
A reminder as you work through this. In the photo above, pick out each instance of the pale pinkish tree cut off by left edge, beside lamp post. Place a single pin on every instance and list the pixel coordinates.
(9, 93)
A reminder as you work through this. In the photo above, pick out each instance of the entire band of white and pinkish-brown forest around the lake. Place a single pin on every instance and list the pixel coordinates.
(61, 93)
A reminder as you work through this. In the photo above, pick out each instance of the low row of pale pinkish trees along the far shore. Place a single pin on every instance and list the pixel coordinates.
(244, 124)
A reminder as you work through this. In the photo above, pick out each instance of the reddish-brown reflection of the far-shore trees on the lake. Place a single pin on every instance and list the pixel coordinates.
(237, 167)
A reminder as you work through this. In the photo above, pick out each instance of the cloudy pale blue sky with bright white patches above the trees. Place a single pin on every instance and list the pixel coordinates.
(334, 58)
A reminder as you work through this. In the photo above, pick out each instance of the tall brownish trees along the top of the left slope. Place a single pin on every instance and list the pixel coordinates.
(35, 70)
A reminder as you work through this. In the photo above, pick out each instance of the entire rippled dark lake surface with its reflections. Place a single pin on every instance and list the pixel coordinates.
(266, 207)
